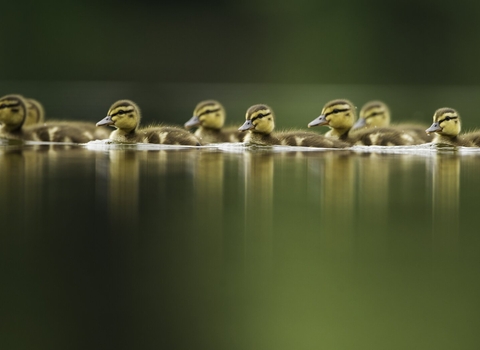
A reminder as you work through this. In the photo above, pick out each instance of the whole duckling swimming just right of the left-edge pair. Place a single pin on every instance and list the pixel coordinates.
(125, 116)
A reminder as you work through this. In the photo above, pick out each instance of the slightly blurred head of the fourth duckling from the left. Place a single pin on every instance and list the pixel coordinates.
(208, 114)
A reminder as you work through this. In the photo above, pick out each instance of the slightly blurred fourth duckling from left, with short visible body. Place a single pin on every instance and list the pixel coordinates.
(209, 117)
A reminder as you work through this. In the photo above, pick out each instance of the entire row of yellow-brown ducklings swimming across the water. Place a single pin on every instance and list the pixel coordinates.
(23, 118)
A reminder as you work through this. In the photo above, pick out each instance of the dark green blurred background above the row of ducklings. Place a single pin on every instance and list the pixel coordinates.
(294, 55)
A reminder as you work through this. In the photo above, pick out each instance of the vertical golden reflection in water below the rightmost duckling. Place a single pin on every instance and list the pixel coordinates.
(445, 170)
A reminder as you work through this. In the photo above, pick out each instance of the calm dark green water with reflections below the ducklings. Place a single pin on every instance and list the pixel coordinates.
(243, 249)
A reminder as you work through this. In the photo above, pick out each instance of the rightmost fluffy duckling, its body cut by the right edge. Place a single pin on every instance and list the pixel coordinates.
(447, 126)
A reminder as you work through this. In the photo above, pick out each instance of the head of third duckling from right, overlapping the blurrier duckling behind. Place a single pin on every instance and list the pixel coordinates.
(340, 115)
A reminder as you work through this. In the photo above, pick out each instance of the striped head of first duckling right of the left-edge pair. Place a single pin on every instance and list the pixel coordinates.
(123, 115)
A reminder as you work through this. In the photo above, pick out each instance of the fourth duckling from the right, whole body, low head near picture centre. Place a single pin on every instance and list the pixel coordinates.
(260, 124)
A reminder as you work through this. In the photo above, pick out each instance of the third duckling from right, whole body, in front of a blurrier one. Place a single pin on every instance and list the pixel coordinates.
(340, 116)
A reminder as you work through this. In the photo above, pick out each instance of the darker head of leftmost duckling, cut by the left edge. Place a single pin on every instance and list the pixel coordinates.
(13, 111)
